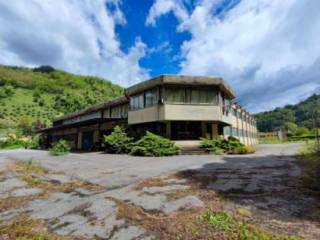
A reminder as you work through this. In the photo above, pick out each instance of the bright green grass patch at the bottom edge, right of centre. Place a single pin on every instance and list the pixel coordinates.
(238, 229)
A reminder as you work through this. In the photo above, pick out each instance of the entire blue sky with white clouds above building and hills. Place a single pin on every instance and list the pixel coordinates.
(268, 51)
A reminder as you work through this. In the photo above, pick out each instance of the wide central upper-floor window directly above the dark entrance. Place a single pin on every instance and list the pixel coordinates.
(190, 95)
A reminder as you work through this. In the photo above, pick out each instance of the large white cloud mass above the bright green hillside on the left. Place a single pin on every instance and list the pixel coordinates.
(77, 36)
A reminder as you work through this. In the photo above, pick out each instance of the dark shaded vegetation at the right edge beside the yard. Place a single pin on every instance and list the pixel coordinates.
(310, 159)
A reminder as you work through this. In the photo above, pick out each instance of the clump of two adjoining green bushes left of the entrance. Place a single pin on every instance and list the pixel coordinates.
(149, 145)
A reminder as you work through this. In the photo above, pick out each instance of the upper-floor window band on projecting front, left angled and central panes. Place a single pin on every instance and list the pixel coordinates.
(184, 95)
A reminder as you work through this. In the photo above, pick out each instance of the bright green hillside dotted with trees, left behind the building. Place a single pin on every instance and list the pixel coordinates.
(36, 96)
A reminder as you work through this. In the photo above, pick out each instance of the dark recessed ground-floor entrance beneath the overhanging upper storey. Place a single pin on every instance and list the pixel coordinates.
(186, 130)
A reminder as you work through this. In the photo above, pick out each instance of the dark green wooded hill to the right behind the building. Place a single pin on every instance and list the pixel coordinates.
(300, 114)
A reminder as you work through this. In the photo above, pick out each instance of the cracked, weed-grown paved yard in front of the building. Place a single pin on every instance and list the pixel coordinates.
(95, 195)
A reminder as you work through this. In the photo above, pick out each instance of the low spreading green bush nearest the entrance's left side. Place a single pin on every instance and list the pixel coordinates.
(154, 145)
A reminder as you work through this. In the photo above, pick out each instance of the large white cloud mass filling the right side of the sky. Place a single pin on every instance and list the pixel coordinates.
(267, 50)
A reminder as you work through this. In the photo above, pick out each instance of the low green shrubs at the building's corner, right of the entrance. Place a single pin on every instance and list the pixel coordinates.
(220, 146)
